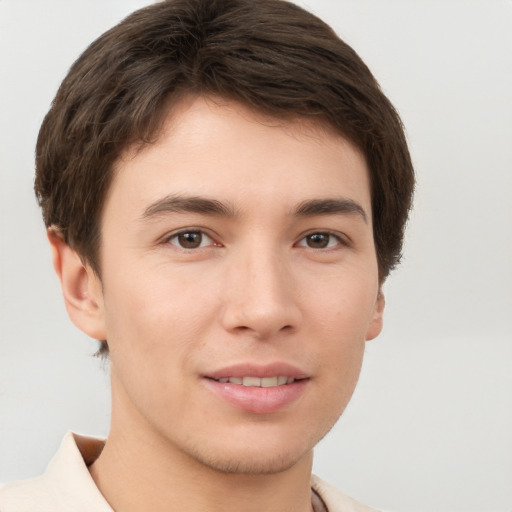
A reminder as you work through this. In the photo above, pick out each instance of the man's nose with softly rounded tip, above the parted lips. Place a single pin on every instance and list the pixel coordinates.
(261, 297)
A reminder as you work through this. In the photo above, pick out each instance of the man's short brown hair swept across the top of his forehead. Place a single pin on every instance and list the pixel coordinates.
(270, 55)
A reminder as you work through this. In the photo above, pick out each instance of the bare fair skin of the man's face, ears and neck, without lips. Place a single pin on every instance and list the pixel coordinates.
(257, 289)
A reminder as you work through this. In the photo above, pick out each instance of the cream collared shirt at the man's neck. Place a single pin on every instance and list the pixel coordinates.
(67, 486)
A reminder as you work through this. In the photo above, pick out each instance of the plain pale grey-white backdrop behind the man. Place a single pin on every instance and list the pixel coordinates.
(430, 424)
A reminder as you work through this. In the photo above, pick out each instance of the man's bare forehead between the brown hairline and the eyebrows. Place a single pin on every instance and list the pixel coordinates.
(220, 148)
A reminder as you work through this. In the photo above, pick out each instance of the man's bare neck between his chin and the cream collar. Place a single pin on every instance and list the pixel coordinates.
(139, 470)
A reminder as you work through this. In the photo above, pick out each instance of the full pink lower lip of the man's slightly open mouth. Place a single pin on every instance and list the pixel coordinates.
(257, 399)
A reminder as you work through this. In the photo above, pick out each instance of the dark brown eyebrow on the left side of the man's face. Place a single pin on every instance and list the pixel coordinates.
(188, 204)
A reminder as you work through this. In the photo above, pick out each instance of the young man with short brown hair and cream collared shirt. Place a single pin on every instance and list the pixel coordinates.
(225, 189)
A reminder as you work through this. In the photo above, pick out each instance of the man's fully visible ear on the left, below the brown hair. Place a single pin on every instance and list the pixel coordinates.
(81, 287)
